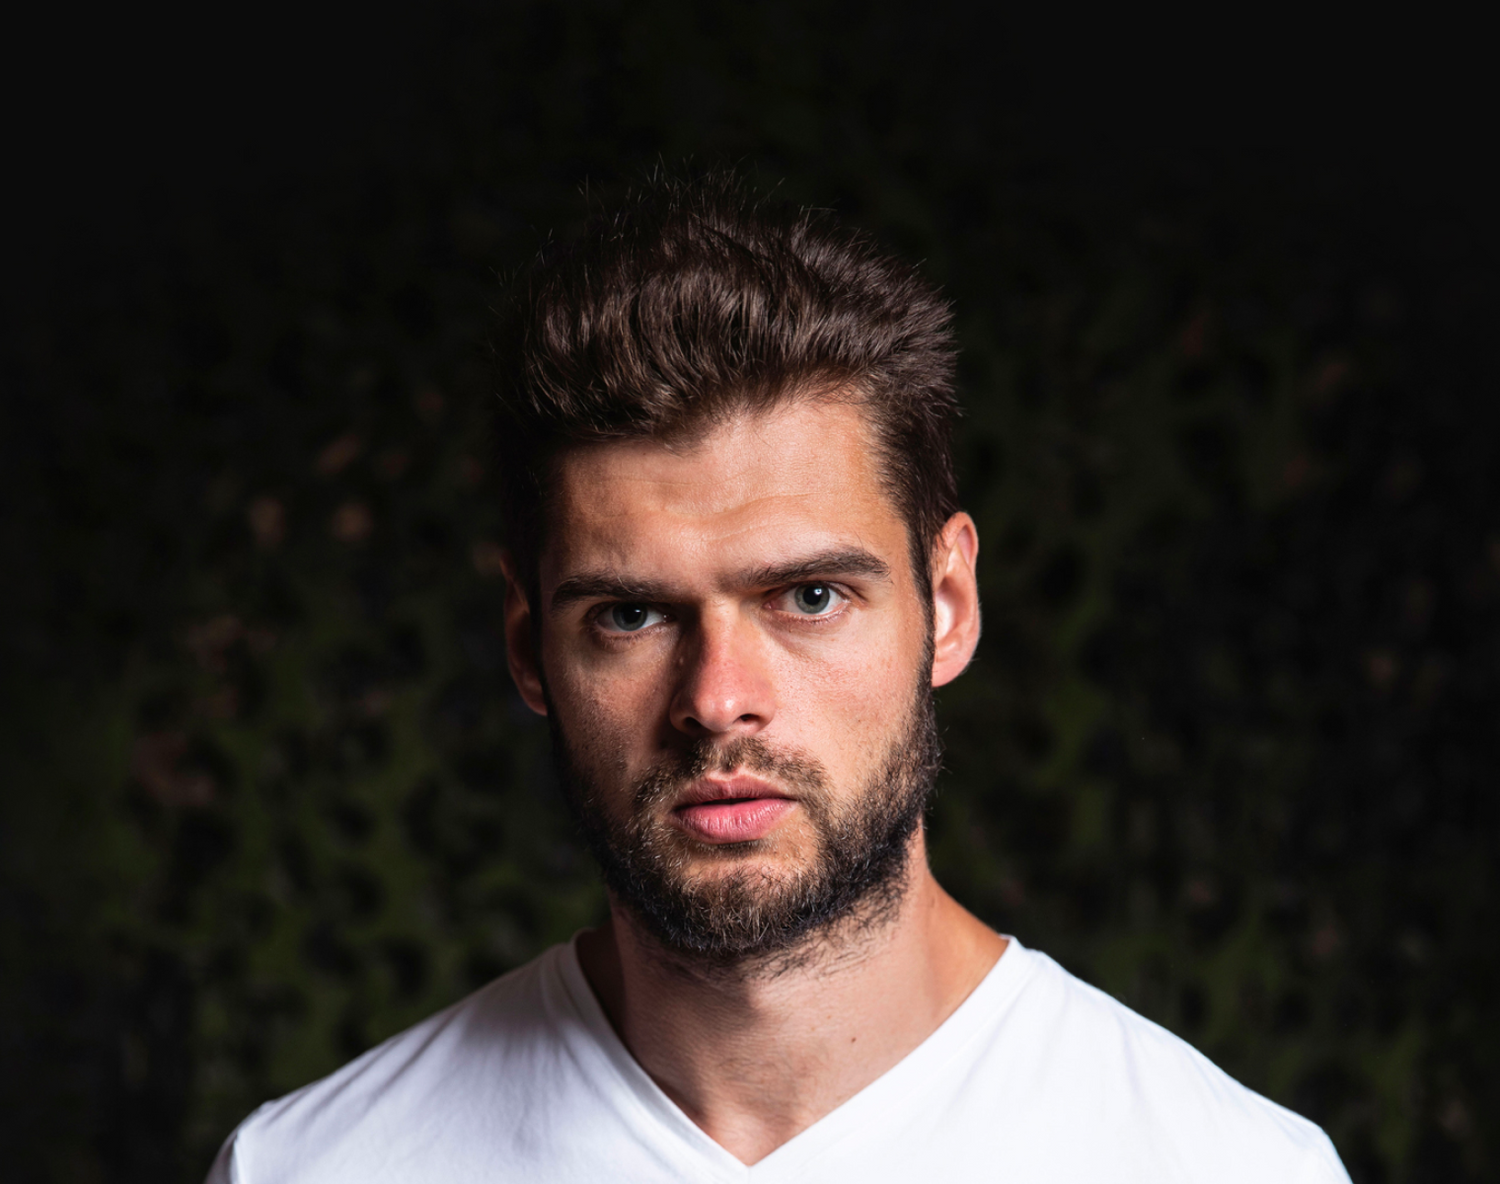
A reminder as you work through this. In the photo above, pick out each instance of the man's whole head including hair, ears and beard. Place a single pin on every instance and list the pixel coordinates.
(745, 571)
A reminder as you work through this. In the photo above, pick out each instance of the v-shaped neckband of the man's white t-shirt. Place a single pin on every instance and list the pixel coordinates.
(886, 1095)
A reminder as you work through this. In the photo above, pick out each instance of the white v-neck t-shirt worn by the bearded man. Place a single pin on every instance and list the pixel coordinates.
(1036, 1078)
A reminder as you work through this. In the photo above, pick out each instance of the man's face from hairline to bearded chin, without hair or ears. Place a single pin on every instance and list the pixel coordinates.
(736, 660)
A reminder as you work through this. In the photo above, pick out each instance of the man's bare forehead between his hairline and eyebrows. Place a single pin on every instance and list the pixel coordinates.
(802, 475)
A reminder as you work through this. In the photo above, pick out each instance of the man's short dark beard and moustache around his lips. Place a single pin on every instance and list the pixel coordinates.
(857, 876)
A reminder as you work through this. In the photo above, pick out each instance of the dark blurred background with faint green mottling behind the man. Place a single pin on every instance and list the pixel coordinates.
(1225, 292)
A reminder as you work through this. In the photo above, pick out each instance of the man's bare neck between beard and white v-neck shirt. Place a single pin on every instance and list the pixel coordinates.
(757, 1054)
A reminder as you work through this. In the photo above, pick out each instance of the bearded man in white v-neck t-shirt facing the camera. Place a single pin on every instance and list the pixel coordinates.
(737, 571)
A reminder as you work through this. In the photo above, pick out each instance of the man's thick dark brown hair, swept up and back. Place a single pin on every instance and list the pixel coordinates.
(694, 302)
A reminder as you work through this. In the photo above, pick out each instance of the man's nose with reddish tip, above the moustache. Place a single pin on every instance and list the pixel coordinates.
(724, 682)
